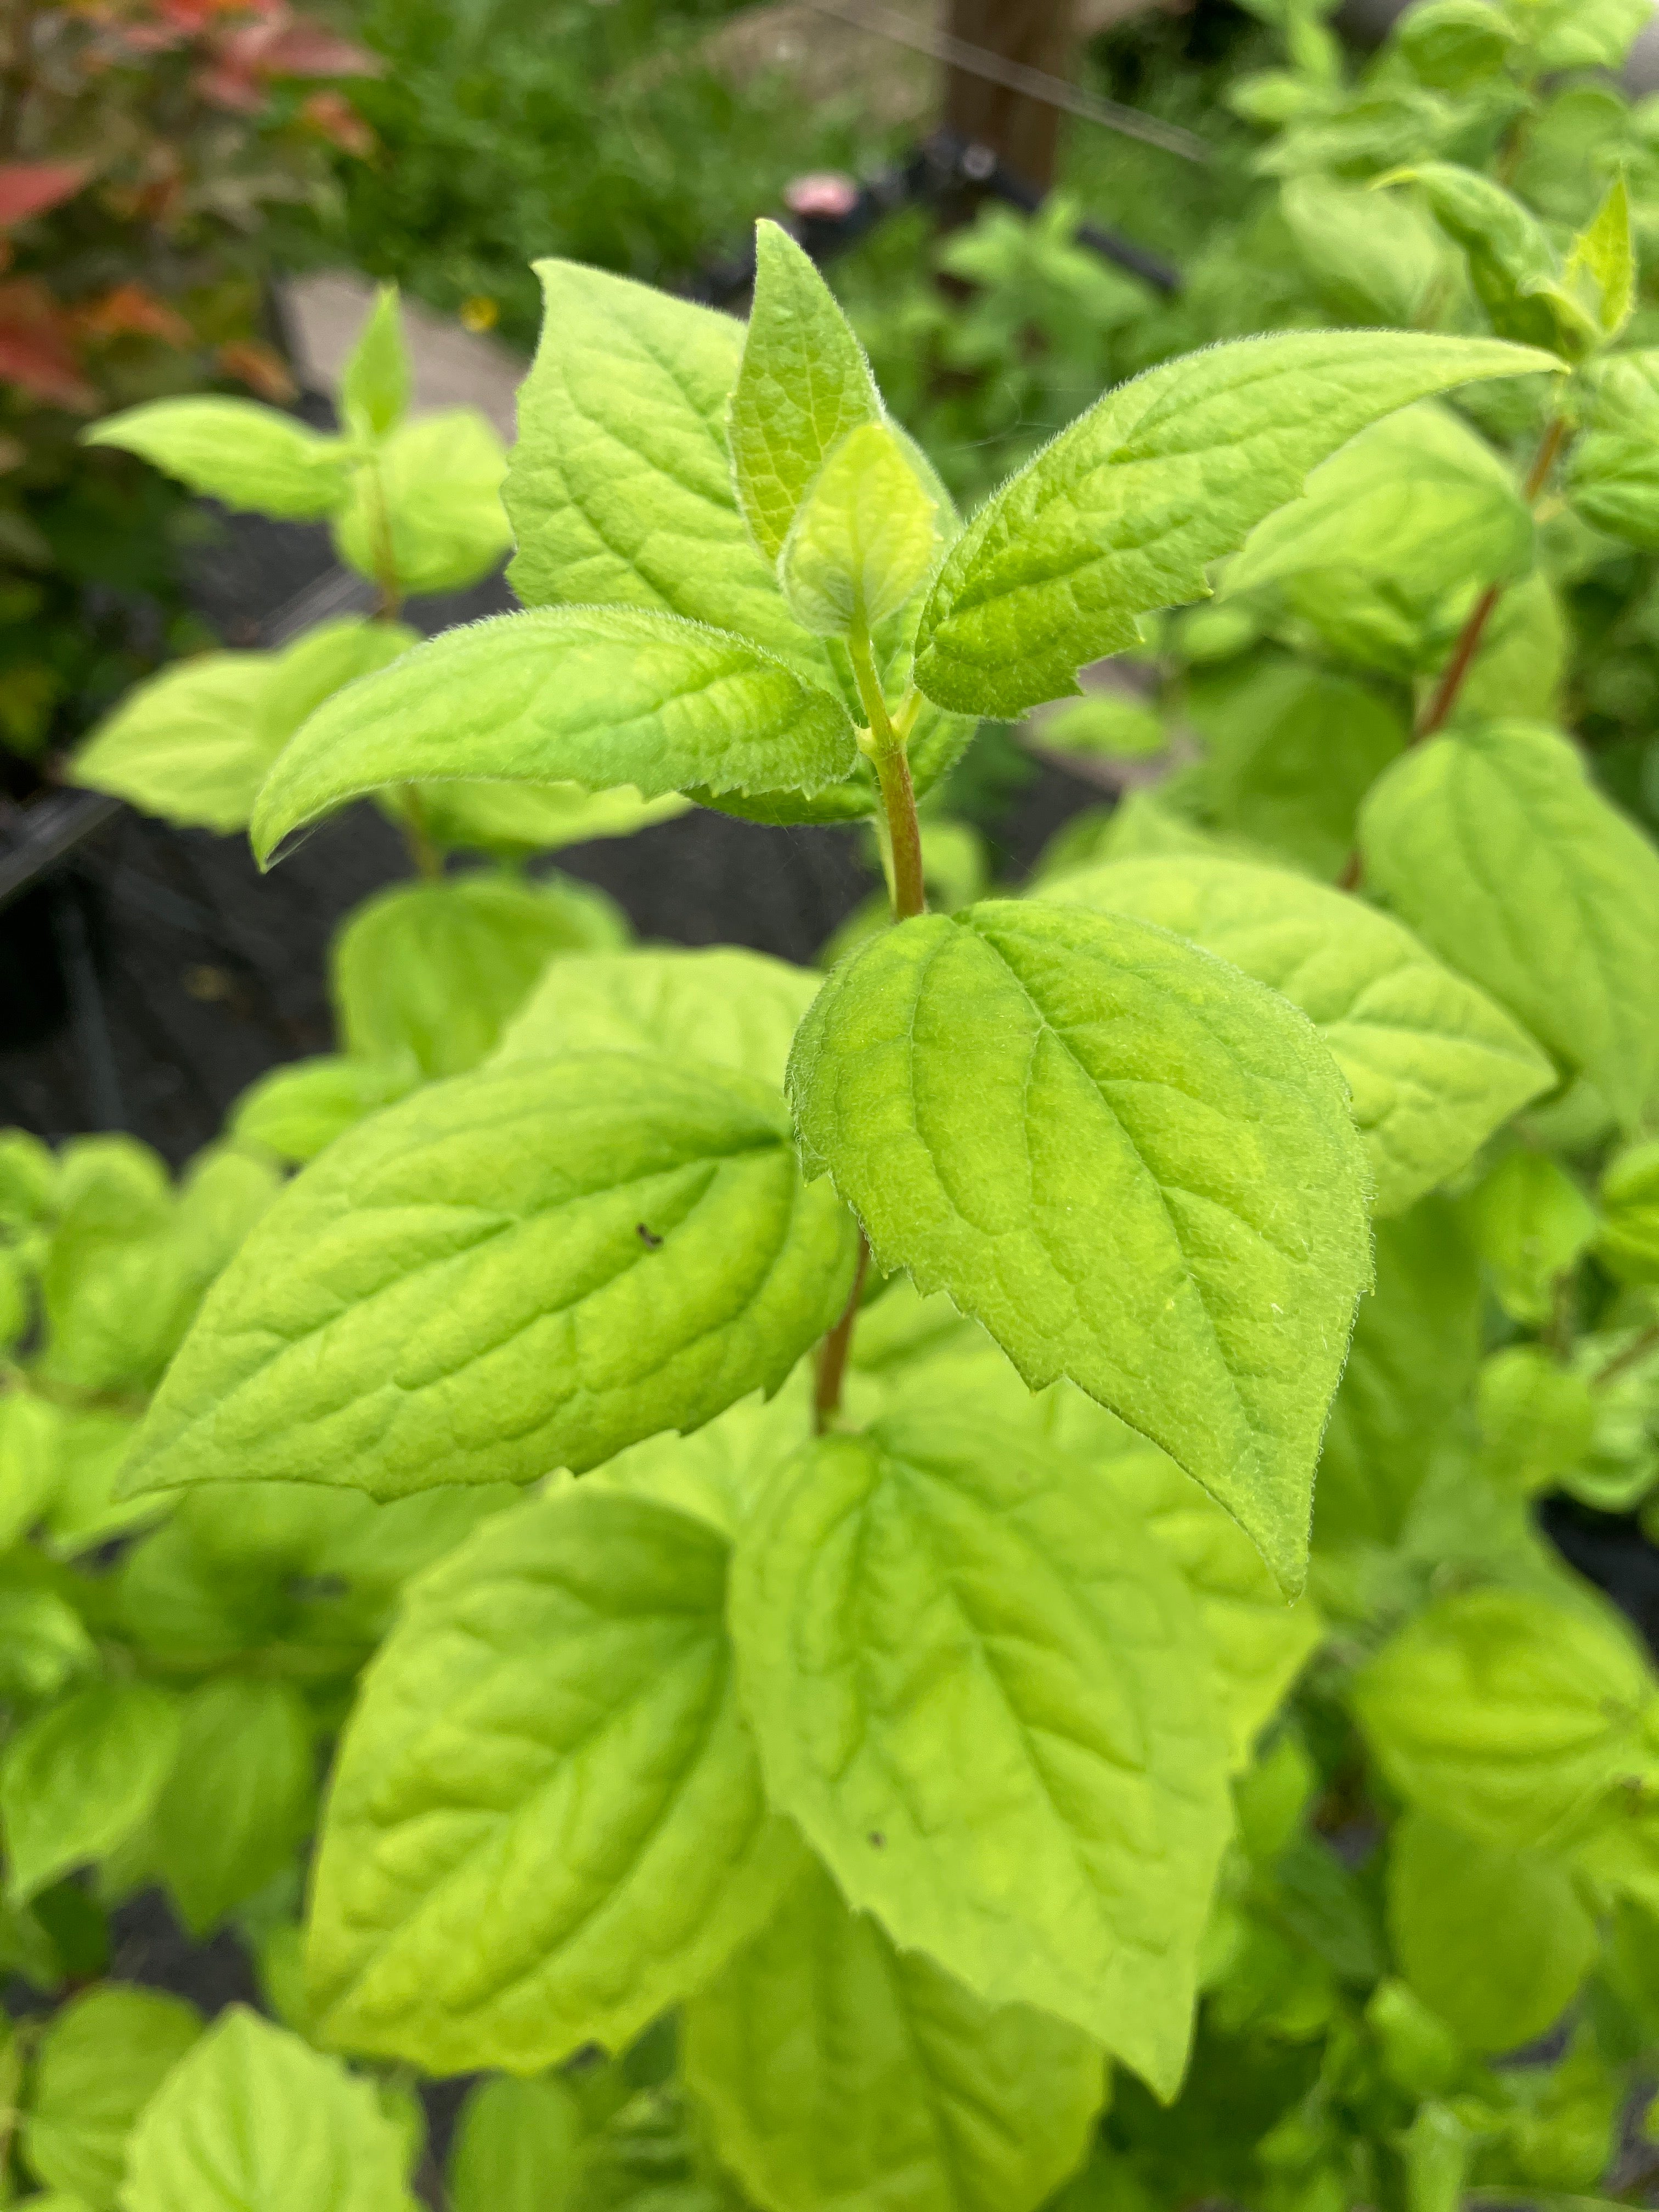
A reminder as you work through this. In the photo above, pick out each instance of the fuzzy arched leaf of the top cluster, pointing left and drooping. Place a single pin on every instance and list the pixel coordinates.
(565, 696)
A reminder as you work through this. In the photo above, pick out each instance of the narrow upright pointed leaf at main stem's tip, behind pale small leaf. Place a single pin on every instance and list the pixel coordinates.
(802, 386)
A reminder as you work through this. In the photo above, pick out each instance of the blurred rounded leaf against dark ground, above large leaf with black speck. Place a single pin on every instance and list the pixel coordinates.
(432, 972)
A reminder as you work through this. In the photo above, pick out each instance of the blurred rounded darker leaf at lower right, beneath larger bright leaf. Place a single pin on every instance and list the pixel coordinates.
(1494, 1941)
